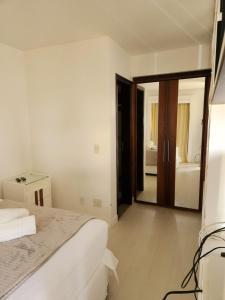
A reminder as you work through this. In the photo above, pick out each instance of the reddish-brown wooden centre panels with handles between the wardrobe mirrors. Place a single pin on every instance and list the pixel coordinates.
(167, 127)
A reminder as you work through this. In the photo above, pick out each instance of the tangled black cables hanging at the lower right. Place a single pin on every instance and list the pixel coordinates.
(195, 266)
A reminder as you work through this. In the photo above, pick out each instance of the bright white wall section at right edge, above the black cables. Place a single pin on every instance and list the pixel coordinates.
(214, 193)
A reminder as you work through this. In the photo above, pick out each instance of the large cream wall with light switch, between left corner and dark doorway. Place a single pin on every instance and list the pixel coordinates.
(72, 108)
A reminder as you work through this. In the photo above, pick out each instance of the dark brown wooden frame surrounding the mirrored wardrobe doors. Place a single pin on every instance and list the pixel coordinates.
(173, 76)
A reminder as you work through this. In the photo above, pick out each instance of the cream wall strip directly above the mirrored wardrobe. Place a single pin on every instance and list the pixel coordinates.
(170, 61)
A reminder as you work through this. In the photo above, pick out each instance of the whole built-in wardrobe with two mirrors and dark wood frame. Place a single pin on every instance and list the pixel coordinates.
(175, 134)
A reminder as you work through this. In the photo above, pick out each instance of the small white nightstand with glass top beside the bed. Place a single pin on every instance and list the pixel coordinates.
(31, 188)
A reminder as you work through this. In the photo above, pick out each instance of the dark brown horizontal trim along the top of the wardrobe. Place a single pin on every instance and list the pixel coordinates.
(173, 76)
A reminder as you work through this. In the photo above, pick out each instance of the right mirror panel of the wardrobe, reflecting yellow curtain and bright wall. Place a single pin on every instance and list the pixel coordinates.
(189, 142)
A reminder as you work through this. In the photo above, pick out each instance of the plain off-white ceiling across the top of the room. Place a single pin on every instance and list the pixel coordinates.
(139, 26)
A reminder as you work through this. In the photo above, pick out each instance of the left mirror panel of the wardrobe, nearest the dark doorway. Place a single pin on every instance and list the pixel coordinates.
(147, 160)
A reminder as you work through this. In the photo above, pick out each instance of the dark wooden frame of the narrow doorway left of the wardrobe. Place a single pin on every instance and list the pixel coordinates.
(121, 79)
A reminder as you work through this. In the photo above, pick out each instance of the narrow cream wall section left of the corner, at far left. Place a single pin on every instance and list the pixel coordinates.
(14, 130)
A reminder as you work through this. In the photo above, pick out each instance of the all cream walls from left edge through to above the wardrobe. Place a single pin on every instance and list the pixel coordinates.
(71, 89)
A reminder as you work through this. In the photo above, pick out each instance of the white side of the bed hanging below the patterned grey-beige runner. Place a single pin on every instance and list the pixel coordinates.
(69, 270)
